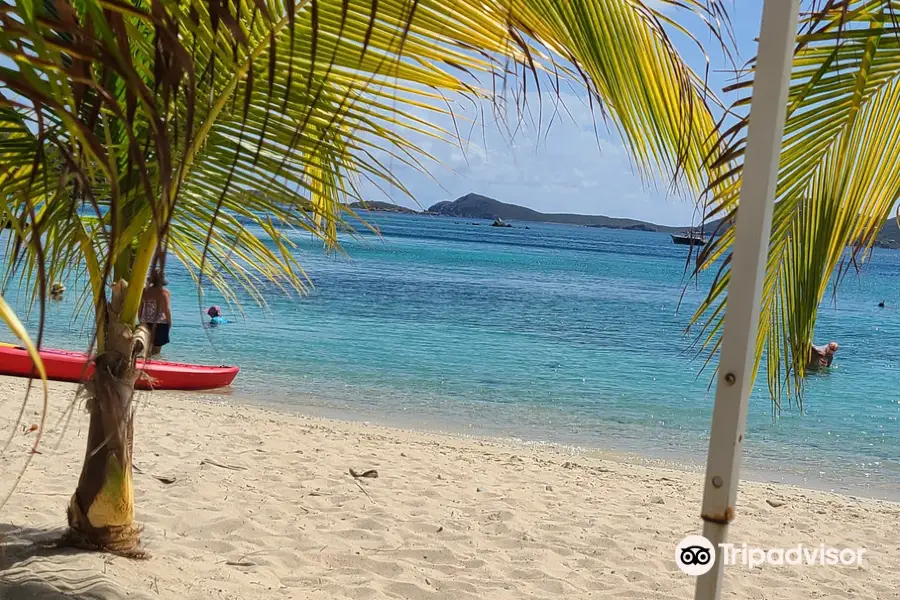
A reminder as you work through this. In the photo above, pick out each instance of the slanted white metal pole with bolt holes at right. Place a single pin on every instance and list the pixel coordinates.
(754, 224)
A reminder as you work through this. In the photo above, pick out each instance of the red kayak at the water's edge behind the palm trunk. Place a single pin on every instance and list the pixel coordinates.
(63, 365)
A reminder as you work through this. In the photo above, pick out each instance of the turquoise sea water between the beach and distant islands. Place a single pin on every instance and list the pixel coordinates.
(554, 333)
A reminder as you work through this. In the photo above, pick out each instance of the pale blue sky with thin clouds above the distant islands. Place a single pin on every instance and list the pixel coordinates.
(577, 165)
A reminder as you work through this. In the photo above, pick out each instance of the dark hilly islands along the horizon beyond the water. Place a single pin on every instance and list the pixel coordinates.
(477, 206)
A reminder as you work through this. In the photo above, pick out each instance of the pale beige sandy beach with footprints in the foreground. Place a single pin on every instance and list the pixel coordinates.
(262, 506)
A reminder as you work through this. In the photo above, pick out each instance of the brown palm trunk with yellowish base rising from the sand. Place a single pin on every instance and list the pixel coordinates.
(101, 511)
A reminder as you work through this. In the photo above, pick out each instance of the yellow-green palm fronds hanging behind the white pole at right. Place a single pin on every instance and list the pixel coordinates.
(837, 181)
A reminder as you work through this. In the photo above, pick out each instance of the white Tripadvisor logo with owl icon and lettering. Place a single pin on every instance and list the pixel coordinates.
(695, 555)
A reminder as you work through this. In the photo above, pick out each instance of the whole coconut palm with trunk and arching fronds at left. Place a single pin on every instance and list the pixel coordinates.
(136, 130)
